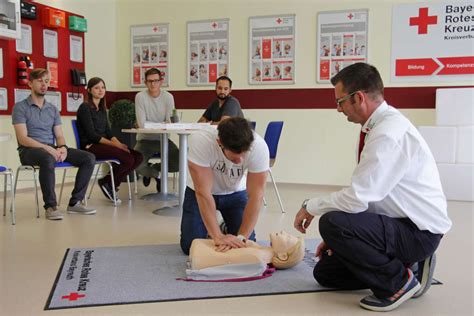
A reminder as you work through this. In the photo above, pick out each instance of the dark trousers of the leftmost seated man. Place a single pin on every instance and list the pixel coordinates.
(47, 177)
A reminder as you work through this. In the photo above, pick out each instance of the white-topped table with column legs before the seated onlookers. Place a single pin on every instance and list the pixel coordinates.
(183, 157)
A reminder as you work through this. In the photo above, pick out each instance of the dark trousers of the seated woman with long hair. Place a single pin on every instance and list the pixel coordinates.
(128, 161)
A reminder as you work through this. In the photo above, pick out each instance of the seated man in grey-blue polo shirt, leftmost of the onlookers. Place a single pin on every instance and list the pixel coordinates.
(41, 143)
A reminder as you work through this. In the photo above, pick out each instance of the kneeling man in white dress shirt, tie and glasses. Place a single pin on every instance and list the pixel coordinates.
(392, 215)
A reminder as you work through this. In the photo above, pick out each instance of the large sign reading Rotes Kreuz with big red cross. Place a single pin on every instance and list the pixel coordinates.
(433, 42)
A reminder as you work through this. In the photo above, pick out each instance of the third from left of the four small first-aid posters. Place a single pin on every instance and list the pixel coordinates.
(272, 49)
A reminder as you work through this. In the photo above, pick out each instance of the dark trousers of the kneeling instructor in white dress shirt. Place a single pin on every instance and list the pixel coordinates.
(370, 251)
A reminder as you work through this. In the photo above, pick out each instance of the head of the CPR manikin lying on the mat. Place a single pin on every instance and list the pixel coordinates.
(288, 250)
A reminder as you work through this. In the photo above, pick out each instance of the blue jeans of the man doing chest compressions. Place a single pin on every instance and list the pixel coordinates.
(231, 207)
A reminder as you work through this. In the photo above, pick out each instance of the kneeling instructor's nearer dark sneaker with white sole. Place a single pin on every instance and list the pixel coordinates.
(376, 304)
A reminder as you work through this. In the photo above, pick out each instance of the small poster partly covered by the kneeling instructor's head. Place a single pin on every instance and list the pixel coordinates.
(342, 41)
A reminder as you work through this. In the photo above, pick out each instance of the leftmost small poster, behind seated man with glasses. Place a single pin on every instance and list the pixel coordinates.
(149, 49)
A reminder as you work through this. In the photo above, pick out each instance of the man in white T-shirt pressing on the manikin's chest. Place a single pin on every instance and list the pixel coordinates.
(228, 169)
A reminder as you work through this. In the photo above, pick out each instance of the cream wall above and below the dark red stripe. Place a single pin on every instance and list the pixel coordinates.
(317, 146)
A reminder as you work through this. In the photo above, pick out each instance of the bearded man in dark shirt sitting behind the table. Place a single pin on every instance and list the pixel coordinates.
(224, 106)
